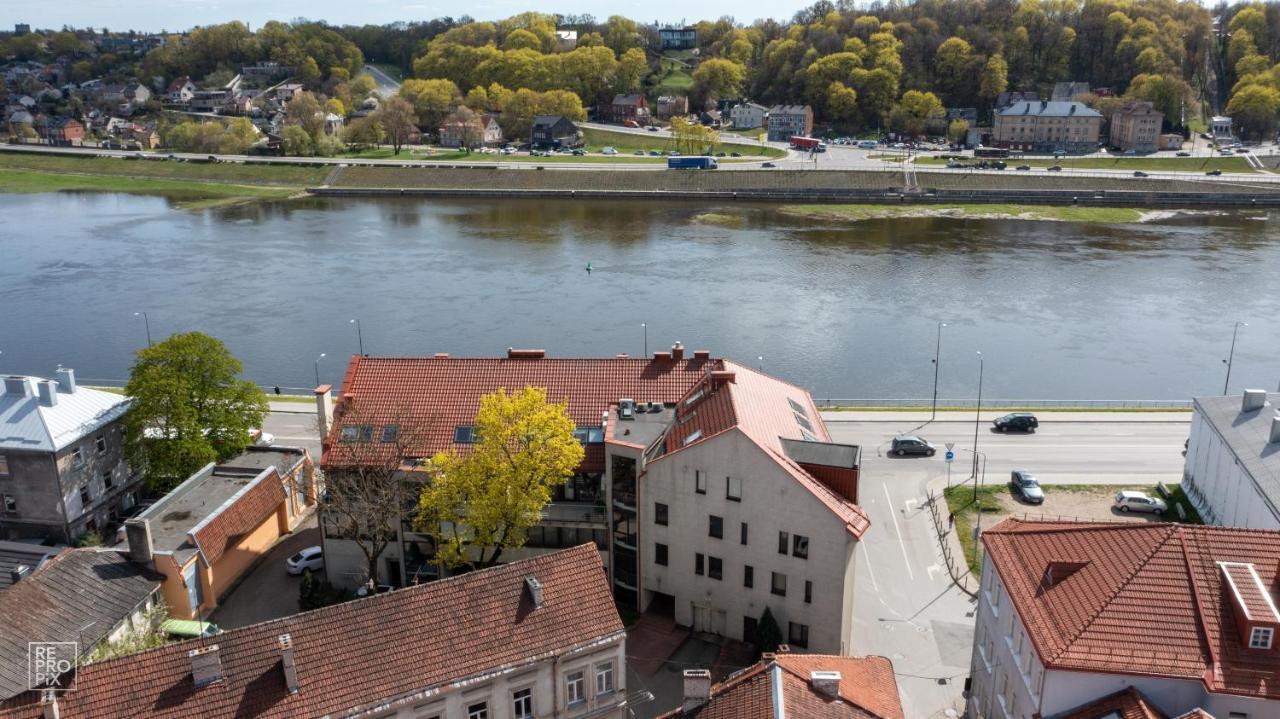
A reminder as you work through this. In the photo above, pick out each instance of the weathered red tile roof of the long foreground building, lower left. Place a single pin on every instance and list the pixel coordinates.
(363, 652)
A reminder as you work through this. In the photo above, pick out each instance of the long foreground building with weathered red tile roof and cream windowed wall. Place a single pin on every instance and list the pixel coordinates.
(538, 638)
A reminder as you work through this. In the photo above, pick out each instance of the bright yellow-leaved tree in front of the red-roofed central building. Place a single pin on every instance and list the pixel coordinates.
(482, 503)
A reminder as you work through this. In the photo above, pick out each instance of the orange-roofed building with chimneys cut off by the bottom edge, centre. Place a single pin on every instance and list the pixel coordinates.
(796, 685)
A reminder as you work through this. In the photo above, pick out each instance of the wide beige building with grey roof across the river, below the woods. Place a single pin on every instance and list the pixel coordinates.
(1048, 127)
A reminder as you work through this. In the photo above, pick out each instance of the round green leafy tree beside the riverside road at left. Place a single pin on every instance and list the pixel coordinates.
(190, 407)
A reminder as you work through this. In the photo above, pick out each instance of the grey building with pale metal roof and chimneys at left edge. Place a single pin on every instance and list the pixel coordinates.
(62, 460)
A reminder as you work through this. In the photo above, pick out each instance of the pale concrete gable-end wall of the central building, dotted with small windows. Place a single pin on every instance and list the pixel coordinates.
(772, 502)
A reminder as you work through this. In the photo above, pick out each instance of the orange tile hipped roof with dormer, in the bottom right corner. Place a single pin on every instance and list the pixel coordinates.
(1145, 599)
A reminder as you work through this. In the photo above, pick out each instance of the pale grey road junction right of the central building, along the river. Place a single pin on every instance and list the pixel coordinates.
(906, 606)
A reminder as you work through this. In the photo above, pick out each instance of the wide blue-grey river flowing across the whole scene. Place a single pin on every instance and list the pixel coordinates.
(849, 310)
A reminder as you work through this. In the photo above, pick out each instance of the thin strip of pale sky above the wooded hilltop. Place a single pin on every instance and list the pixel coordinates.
(182, 15)
